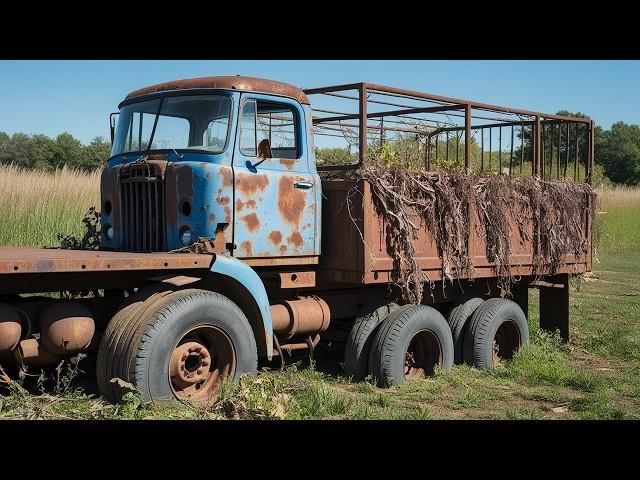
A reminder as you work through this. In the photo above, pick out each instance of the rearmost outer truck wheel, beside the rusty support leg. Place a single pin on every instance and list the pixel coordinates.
(498, 328)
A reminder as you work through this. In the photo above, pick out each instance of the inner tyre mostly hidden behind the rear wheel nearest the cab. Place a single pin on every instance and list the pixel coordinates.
(356, 354)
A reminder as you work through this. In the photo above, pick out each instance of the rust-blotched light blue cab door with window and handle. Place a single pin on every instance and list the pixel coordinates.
(274, 190)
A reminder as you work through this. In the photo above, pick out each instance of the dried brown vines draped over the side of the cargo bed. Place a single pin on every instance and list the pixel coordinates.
(445, 203)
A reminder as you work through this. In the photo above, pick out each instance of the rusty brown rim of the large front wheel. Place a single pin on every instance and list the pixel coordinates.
(200, 362)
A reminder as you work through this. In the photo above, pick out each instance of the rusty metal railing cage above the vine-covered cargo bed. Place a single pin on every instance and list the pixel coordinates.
(424, 131)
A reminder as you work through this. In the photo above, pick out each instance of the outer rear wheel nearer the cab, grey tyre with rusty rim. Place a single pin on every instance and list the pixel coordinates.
(411, 343)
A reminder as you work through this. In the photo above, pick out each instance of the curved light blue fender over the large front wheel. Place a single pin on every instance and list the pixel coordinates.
(245, 275)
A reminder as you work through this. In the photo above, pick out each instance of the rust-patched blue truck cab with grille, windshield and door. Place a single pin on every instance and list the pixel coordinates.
(227, 159)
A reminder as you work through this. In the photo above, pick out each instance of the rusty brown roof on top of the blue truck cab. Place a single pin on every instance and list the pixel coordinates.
(245, 84)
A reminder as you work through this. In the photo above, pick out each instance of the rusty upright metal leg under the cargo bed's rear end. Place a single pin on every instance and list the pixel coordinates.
(554, 306)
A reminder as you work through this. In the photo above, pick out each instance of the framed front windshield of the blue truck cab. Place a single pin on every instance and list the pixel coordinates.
(185, 122)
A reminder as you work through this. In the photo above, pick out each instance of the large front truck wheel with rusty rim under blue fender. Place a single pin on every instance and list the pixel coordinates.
(185, 345)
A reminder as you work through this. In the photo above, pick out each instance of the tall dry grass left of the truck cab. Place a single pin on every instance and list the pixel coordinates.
(35, 206)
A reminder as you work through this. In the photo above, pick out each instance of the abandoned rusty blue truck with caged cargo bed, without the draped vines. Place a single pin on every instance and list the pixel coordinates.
(224, 242)
